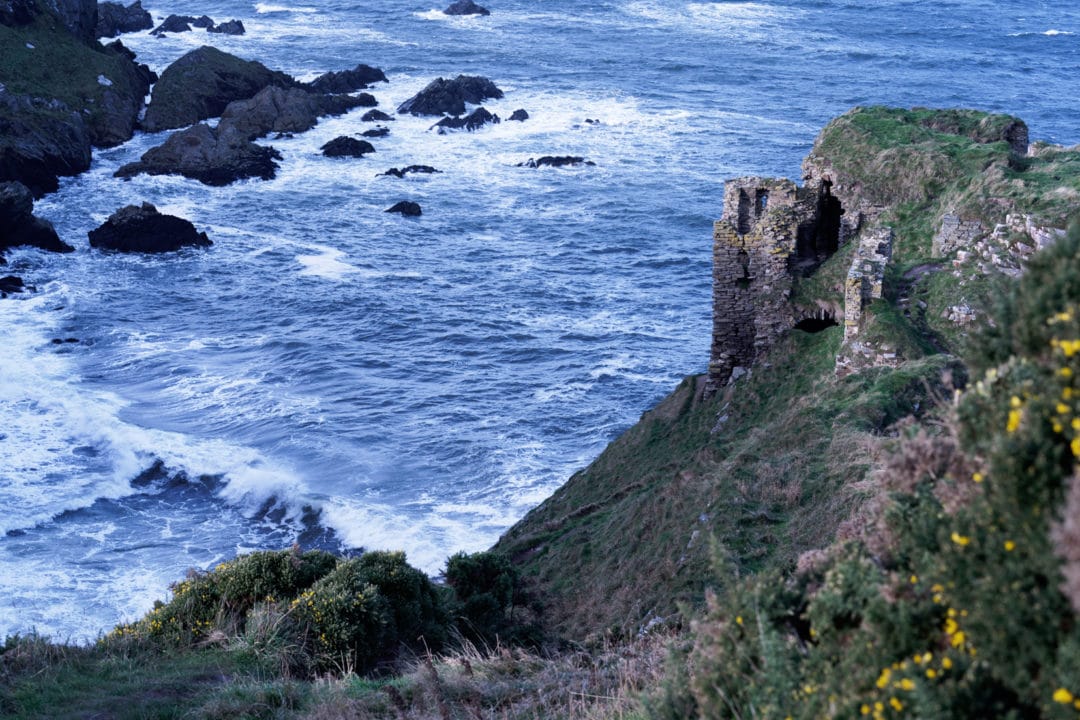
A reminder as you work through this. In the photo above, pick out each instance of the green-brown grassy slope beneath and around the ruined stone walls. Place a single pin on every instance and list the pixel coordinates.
(630, 537)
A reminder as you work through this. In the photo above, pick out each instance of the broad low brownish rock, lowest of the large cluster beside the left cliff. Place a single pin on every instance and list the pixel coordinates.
(212, 157)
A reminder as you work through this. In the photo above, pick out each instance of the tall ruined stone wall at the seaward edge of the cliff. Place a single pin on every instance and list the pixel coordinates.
(752, 281)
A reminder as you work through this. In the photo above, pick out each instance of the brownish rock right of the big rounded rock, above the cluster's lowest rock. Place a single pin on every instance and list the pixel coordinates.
(283, 111)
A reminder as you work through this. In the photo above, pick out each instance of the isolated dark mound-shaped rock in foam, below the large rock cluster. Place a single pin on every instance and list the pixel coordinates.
(143, 229)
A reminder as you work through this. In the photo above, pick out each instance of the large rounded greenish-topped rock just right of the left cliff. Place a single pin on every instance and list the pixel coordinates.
(200, 86)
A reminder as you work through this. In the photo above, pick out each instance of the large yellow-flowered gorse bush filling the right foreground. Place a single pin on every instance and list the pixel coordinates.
(950, 601)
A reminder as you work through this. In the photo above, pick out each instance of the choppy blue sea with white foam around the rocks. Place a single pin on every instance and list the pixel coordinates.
(332, 375)
